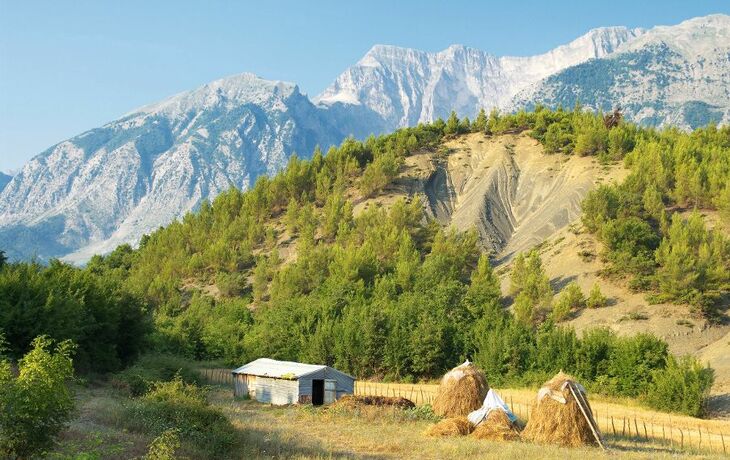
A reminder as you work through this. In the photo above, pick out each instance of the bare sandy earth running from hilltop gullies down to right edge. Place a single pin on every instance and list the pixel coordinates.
(517, 197)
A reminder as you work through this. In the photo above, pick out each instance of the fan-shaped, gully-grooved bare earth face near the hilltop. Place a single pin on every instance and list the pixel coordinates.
(513, 193)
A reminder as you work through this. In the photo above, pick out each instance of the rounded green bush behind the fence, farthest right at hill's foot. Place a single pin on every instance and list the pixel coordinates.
(681, 387)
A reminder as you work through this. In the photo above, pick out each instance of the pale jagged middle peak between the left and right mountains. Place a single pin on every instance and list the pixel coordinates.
(406, 86)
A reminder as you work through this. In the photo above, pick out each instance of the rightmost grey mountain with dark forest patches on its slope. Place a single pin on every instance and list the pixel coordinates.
(678, 75)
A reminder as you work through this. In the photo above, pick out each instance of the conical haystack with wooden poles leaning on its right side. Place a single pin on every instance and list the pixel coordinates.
(557, 418)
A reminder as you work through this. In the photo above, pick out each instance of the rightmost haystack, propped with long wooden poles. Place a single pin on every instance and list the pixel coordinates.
(552, 422)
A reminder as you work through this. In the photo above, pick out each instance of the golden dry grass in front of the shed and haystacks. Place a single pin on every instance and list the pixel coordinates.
(384, 433)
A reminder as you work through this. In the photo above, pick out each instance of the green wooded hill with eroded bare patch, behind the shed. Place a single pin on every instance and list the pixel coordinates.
(506, 241)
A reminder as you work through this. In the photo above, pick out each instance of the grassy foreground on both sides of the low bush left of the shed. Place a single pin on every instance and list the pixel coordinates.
(305, 432)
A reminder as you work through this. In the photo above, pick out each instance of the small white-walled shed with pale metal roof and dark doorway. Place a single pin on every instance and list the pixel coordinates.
(285, 382)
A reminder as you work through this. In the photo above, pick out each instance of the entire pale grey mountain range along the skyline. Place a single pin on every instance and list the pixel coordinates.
(112, 184)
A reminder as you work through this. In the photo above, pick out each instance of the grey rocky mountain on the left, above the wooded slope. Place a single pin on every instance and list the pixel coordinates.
(111, 185)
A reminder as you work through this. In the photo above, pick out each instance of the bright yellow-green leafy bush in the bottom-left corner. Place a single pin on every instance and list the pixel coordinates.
(35, 405)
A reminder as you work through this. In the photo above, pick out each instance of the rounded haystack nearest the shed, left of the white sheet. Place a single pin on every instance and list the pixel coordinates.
(461, 391)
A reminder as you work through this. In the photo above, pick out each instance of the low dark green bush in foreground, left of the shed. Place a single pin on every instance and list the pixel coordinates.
(176, 405)
